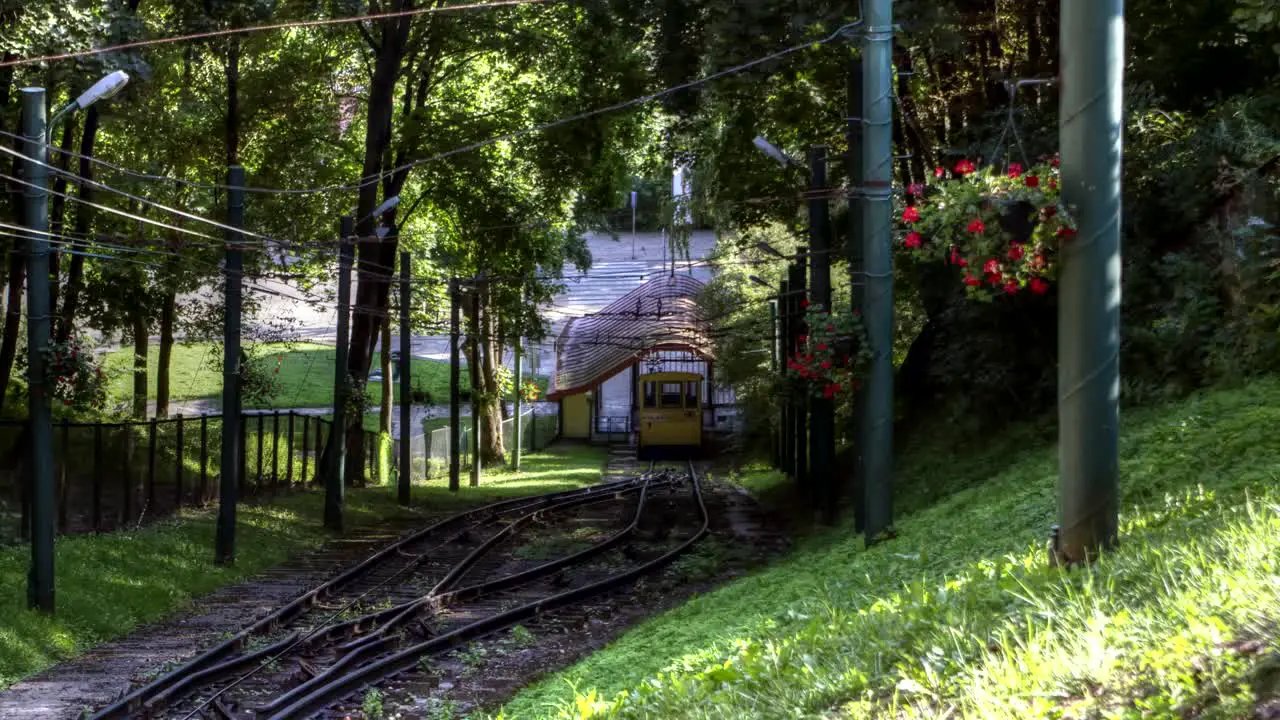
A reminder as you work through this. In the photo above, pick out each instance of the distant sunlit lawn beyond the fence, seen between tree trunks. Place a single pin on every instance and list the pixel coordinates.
(305, 380)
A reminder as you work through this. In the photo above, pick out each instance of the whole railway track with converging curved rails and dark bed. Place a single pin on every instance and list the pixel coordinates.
(422, 596)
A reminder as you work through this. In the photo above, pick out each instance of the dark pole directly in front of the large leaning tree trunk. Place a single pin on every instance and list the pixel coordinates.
(336, 479)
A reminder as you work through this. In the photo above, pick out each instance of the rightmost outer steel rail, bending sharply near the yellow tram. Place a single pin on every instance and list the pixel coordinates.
(409, 658)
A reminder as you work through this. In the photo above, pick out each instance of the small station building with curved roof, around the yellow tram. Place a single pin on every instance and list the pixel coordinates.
(653, 326)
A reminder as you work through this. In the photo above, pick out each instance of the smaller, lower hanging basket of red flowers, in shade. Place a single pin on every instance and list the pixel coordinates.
(831, 359)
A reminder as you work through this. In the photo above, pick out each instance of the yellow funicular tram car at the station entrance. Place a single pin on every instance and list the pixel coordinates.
(670, 416)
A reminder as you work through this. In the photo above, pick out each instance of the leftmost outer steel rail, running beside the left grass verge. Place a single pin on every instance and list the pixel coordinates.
(135, 700)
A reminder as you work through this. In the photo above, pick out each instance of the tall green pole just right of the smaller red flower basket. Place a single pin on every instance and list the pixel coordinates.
(879, 263)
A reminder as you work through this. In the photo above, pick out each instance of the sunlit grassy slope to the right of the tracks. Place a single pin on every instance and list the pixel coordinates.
(961, 616)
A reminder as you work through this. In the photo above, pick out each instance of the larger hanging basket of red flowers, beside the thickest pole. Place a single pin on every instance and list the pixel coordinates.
(1000, 231)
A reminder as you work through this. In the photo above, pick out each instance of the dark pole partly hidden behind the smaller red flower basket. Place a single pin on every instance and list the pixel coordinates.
(822, 436)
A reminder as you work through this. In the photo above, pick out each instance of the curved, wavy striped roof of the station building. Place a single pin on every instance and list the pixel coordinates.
(662, 315)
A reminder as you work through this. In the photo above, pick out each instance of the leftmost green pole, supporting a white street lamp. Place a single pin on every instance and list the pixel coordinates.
(40, 582)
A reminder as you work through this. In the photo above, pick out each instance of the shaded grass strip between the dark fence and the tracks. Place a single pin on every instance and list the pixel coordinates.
(108, 585)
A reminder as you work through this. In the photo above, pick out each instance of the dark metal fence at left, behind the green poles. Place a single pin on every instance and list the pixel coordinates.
(112, 476)
